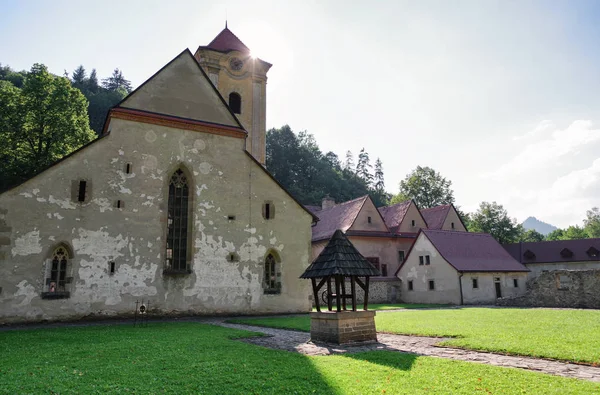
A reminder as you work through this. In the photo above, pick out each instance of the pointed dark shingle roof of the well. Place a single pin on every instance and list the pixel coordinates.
(340, 257)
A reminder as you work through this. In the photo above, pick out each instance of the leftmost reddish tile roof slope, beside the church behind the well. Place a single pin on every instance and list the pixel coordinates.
(341, 216)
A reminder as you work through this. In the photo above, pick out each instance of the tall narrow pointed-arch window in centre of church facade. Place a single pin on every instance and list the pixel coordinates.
(177, 222)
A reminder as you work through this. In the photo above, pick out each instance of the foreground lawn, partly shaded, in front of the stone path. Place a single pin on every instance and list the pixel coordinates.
(195, 358)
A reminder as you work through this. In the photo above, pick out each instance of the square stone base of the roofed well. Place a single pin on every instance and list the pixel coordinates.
(343, 327)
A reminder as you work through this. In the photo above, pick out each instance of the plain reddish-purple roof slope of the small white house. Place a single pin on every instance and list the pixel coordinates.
(473, 252)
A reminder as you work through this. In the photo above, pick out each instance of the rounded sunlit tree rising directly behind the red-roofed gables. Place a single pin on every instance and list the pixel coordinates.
(427, 187)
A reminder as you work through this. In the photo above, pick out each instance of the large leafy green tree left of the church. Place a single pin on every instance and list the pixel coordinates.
(40, 123)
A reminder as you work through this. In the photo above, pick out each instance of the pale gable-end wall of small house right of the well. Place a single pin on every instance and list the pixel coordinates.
(446, 279)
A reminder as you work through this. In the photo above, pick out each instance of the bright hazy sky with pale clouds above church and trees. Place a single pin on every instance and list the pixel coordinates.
(500, 97)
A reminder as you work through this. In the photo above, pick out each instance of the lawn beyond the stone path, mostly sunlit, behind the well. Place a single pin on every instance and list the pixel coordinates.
(570, 335)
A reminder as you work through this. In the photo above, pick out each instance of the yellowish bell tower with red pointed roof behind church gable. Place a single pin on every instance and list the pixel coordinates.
(242, 81)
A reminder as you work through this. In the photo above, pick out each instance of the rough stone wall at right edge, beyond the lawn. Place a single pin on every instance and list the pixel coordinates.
(560, 288)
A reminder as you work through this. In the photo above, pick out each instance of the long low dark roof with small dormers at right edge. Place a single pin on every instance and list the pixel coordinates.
(549, 251)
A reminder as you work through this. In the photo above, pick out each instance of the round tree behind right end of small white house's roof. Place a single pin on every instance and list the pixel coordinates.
(492, 218)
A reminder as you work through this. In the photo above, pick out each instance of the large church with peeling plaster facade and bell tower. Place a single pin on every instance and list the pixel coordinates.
(170, 206)
